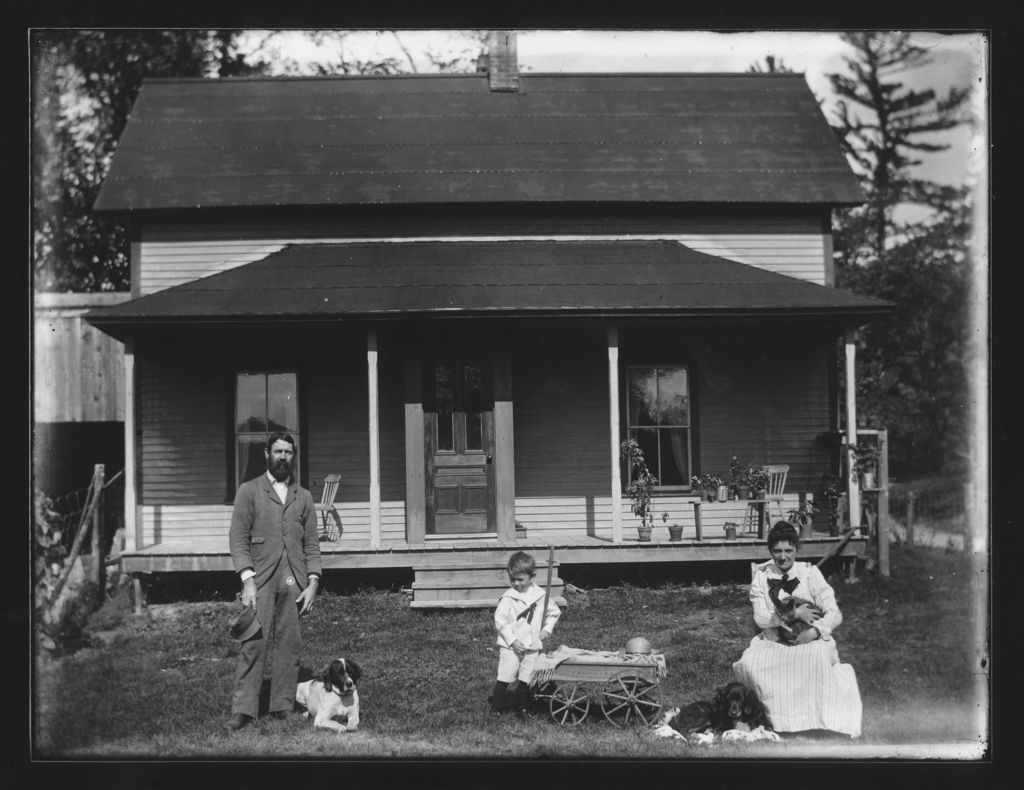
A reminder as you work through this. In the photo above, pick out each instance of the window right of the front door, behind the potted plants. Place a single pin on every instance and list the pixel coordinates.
(659, 419)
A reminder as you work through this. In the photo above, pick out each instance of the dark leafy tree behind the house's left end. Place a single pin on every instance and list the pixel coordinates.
(84, 86)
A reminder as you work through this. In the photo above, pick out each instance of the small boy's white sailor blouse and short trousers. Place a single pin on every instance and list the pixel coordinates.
(519, 617)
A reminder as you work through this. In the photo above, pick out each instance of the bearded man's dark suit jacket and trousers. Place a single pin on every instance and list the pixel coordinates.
(280, 544)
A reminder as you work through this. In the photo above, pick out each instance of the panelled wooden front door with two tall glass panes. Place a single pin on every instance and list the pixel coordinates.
(460, 447)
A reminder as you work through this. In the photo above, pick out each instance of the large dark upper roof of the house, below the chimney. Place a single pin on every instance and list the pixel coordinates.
(449, 139)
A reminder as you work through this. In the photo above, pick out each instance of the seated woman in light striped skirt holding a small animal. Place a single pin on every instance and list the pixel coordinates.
(799, 679)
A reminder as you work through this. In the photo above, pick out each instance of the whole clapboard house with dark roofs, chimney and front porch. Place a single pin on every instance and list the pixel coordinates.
(462, 294)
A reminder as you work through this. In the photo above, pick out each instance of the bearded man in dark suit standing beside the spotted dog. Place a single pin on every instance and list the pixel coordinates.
(276, 551)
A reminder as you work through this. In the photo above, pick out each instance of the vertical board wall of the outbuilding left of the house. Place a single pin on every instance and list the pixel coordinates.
(78, 370)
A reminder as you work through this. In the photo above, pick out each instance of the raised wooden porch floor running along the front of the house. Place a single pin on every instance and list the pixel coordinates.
(350, 555)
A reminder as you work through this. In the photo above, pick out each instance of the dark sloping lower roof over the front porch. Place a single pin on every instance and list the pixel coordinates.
(388, 280)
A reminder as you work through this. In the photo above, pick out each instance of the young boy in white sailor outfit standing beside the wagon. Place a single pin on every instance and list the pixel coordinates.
(522, 630)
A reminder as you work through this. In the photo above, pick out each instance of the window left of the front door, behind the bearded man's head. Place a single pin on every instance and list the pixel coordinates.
(265, 403)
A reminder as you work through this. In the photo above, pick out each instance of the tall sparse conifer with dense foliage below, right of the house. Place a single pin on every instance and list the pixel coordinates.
(913, 377)
